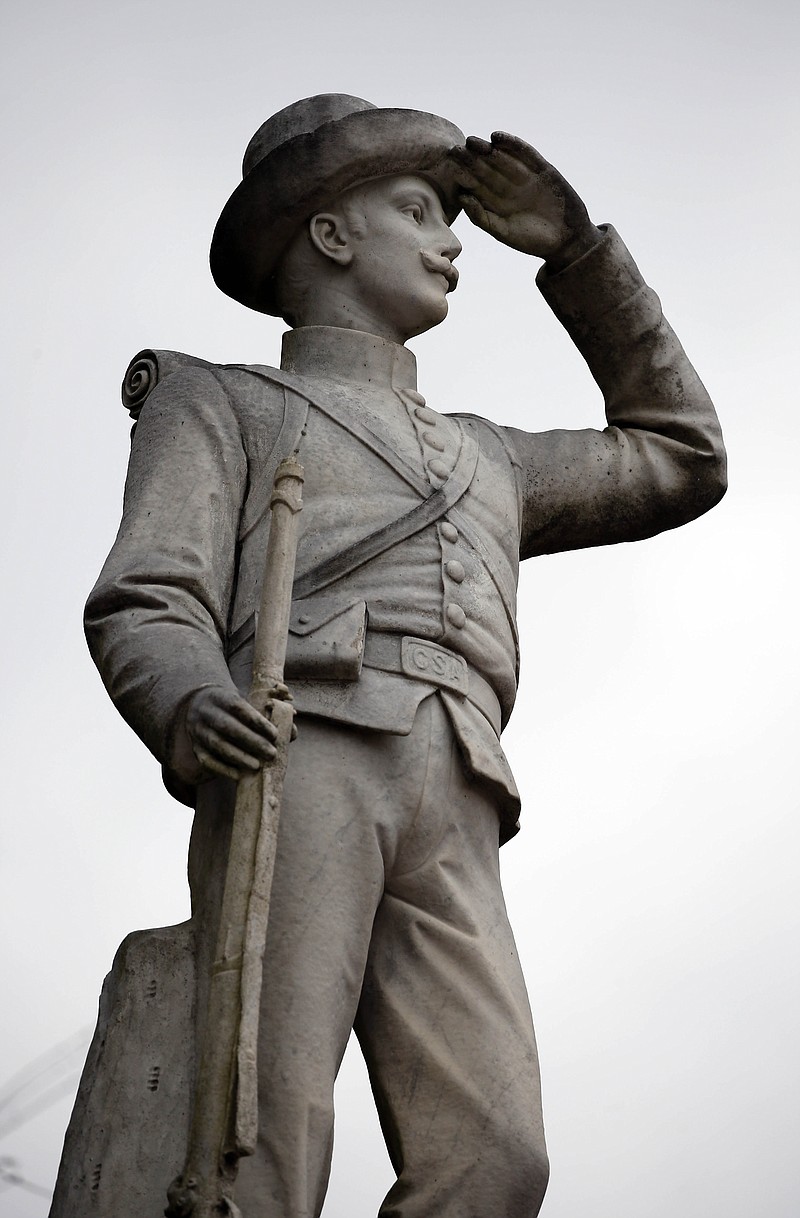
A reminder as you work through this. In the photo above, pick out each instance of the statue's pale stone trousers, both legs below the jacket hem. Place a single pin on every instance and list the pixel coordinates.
(388, 917)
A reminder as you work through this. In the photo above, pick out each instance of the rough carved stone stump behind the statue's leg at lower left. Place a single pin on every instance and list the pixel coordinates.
(127, 1137)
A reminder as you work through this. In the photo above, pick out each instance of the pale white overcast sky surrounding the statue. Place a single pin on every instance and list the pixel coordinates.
(654, 886)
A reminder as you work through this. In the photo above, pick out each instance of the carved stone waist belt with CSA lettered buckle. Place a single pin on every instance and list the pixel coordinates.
(434, 664)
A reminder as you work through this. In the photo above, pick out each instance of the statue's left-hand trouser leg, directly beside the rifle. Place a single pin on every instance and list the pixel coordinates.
(329, 880)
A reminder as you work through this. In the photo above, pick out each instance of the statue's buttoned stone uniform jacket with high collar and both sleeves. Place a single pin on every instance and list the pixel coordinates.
(174, 607)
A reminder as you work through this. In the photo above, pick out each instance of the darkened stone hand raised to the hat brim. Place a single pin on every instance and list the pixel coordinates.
(519, 198)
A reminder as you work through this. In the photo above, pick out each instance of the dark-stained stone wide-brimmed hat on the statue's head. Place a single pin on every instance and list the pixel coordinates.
(299, 161)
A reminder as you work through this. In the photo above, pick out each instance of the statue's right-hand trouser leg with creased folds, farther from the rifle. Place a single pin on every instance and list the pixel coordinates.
(445, 1023)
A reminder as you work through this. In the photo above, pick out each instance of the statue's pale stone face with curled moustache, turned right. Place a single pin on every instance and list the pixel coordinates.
(402, 256)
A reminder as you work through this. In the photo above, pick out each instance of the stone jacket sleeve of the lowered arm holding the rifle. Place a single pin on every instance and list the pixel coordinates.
(158, 617)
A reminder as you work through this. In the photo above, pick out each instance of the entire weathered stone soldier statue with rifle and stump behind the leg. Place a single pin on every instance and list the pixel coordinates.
(385, 912)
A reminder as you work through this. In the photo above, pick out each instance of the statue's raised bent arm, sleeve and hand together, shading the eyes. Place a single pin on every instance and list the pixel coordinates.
(661, 462)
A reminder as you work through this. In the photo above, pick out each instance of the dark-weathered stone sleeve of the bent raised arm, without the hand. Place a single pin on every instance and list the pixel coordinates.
(661, 462)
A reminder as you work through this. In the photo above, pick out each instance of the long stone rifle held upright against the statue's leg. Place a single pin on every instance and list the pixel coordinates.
(225, 1120)
